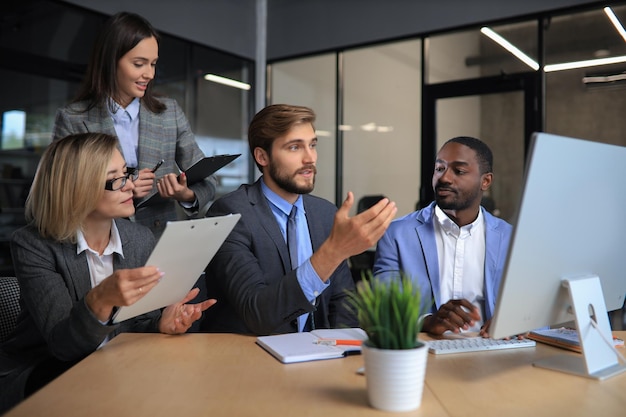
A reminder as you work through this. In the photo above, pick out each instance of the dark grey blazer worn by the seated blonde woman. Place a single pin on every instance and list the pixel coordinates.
(55, 321)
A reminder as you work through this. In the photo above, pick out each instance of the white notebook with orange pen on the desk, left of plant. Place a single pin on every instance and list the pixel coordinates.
(315, 345)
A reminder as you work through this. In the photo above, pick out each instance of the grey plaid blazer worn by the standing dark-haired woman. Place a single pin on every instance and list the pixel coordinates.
(165, 136)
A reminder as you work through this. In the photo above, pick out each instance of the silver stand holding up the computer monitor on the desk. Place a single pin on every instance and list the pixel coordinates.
(599, 360)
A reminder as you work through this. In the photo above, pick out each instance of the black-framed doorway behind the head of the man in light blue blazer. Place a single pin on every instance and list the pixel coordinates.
(502, 111)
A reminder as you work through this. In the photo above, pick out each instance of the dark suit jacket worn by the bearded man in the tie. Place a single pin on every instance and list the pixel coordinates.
(251, 274)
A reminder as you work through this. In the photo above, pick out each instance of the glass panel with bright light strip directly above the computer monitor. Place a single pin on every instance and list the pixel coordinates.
(587, 102)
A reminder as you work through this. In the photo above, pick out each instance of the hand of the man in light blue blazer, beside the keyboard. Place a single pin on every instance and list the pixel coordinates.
(455, 315)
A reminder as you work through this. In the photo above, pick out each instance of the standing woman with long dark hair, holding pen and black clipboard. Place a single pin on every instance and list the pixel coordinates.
(116, 98)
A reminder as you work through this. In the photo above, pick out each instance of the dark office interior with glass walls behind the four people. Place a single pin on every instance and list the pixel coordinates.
(390, 81)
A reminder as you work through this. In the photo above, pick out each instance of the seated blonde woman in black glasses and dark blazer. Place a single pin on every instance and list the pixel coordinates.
(76, 260)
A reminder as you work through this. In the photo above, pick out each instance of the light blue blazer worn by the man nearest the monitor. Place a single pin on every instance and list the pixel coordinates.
(409, 246)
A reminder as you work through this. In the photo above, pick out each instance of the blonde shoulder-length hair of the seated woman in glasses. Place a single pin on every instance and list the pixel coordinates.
(69, 183)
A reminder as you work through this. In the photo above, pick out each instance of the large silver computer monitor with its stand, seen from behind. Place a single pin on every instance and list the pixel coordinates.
(567, 257)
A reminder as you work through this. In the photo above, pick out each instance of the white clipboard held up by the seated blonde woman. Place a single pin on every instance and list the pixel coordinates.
(183, 252)
